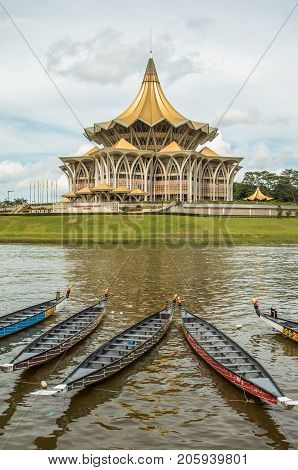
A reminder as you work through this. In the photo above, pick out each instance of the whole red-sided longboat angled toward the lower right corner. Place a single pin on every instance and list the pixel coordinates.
(231, 361)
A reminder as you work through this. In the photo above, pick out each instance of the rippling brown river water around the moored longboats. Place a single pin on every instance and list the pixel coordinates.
(168, 399)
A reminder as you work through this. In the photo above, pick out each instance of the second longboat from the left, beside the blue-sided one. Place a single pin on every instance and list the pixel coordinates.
(58, 339)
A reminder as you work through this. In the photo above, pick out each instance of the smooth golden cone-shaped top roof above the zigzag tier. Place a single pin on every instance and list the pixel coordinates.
(150, 105)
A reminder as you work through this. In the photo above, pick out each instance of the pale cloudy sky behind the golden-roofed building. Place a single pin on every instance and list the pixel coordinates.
(96, 52)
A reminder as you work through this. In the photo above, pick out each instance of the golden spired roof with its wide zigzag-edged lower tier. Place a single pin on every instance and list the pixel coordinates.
(151, 122)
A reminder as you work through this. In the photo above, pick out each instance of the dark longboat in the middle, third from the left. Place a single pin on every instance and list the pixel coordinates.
(117, 353)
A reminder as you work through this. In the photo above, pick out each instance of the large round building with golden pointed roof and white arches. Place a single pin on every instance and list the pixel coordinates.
(149, 152)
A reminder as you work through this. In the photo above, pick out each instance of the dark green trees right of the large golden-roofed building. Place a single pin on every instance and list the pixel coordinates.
(282, 187)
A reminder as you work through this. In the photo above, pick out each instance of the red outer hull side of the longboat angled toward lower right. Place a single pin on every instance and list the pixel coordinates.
(227, 374)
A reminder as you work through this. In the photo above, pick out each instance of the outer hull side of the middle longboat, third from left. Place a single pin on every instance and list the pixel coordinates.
(121, 364)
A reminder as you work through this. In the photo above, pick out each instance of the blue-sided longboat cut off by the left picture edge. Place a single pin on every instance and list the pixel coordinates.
(30, 316)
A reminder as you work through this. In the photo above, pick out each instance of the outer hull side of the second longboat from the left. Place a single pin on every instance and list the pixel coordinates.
(48, 355)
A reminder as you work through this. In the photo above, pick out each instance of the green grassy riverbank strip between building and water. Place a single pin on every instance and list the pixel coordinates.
(146, 228)
